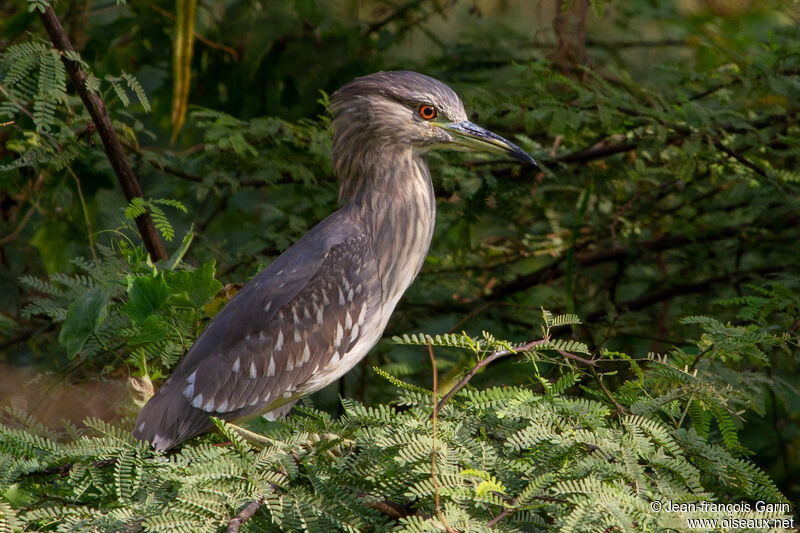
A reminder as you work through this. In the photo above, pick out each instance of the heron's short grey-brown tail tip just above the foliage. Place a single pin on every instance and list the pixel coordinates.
(168, 419)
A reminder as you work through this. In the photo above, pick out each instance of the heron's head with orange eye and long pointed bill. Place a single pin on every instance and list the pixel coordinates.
(401, 110)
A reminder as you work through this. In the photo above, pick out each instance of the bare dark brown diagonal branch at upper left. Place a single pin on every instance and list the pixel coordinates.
(111, 144)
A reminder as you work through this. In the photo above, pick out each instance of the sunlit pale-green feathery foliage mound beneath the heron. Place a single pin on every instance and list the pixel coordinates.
(547, 461)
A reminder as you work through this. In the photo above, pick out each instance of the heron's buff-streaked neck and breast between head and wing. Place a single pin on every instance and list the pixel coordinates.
(394, 200)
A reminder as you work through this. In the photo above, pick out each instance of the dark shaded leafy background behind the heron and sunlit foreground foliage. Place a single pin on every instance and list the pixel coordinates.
(664, 212)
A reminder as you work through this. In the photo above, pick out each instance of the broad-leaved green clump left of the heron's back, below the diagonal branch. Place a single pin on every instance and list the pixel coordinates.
(122, 300)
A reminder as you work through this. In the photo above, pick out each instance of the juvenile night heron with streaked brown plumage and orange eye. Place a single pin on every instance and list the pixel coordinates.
(316, 311)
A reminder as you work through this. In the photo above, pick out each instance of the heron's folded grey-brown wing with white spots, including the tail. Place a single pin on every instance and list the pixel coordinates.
(297, 321)
